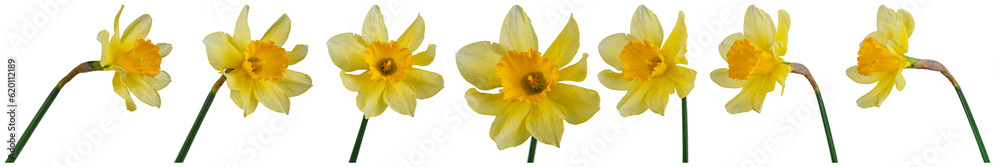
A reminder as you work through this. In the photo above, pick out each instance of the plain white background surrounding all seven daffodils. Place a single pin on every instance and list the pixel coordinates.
(89, 126)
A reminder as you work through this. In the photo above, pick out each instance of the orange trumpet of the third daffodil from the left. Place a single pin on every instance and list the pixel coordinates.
(387, 61)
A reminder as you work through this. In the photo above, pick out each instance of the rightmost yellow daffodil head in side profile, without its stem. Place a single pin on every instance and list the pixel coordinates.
(881, 58)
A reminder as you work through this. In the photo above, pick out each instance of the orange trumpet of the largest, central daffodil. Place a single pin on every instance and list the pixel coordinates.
(526, 76)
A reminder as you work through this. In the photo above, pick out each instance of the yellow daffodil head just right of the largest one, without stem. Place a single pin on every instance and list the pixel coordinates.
(650, 72)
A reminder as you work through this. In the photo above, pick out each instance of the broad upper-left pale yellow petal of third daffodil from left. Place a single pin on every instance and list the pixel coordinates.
(346, 51)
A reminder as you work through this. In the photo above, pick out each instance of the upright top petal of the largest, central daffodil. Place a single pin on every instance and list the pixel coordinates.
(516, 33)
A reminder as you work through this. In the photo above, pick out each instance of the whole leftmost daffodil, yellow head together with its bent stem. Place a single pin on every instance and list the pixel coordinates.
(135, 61)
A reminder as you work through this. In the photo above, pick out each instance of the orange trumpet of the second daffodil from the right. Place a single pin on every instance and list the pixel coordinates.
(745, 59)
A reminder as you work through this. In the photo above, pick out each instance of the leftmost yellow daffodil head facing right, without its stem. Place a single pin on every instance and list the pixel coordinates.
(136, 61)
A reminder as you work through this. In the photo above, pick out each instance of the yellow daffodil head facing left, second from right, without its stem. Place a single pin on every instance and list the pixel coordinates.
(754, 59)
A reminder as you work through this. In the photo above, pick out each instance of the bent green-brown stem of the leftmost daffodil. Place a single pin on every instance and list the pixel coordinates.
(82, 68)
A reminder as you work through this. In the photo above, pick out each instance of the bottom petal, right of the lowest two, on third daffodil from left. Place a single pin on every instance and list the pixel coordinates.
(400, 98)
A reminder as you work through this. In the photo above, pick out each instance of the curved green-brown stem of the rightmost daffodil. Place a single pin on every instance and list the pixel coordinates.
(928, 64)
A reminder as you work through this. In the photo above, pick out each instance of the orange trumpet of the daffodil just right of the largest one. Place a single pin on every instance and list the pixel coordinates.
(641, 60)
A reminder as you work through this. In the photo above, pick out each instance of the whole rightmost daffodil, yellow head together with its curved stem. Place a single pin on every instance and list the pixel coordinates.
(882, 58)
